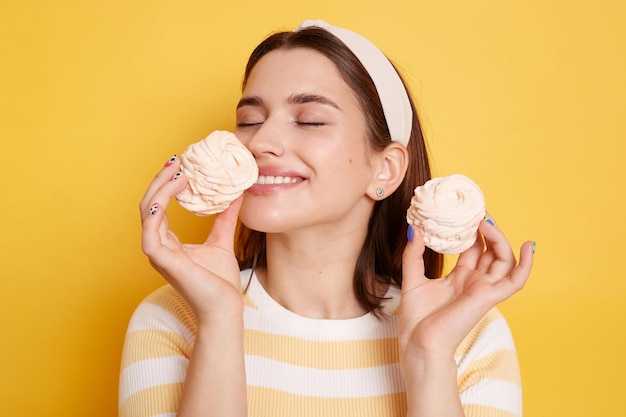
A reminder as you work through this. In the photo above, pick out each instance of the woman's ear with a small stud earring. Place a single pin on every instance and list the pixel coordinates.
(390, 168)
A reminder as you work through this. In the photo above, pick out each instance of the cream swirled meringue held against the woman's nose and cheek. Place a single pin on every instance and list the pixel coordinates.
(218, 169)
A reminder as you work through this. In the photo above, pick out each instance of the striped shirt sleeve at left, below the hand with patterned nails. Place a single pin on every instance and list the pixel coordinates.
(157, 347)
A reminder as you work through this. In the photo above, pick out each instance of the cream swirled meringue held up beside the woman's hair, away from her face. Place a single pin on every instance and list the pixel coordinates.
(447, 210)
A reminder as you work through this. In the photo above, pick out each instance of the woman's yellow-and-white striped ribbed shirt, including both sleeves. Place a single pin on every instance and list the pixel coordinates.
(297, 366)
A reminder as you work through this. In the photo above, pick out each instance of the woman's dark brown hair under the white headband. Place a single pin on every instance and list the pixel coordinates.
(380, 259)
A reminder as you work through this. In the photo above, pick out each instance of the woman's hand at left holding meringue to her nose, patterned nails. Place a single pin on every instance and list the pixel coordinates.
(206, 275)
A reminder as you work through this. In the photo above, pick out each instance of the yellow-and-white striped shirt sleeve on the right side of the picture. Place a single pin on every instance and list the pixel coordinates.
(488, 373)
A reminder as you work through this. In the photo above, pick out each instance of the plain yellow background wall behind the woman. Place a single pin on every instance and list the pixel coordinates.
(526, 97)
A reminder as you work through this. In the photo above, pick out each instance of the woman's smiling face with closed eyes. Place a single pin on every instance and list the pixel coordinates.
(307, 133)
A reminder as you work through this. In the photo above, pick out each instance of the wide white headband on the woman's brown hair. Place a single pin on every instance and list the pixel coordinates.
(391, 91)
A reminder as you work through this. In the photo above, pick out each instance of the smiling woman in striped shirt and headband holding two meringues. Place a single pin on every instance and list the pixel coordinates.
(337, 316)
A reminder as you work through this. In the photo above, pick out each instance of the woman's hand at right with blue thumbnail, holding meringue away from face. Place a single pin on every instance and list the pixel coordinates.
(436, 314)
